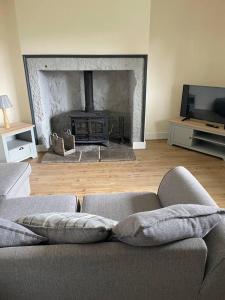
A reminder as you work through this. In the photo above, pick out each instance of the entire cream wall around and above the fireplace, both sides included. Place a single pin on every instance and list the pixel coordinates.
(184, 40)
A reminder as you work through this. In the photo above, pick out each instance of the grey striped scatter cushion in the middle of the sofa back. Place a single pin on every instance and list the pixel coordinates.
(63, 228)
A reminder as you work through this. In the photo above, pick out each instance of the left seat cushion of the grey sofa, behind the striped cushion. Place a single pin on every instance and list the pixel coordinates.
(15, 208)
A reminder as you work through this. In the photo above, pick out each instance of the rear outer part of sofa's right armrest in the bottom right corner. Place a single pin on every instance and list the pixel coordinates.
(213, 286)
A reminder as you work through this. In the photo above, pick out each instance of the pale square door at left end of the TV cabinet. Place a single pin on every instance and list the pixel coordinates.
(182, 136)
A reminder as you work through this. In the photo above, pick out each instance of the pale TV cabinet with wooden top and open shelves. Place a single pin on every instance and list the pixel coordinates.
(196, 135)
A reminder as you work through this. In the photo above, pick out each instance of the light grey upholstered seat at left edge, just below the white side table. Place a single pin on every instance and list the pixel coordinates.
(12, 178)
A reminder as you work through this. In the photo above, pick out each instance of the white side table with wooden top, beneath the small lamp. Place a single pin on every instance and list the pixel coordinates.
(17, 143)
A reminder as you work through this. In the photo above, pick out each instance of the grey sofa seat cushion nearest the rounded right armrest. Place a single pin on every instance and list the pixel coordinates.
(118, 206)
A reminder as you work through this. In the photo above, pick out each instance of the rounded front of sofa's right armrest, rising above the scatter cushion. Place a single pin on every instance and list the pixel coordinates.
(180, 186)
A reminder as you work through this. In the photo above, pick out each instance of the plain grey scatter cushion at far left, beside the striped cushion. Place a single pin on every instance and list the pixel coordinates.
(13, 234)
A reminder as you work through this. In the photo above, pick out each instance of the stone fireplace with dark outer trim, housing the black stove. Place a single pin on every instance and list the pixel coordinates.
(100, 98)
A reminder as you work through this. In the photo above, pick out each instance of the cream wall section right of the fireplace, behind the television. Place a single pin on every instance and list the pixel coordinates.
(187, 45)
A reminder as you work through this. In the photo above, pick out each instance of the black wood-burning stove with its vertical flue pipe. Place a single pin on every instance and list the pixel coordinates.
(90, 126)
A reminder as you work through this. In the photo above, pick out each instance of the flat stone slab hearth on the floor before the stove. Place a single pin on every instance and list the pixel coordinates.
(93, 153)
